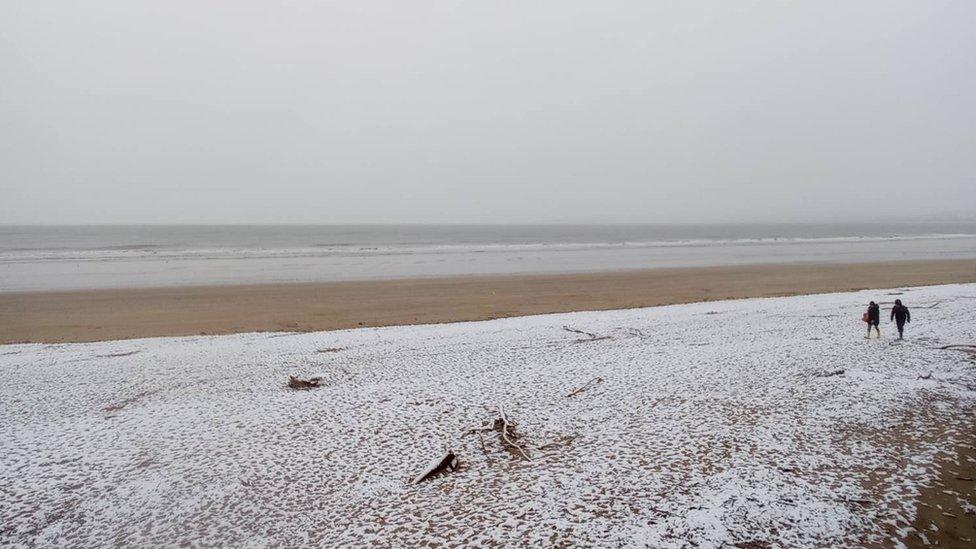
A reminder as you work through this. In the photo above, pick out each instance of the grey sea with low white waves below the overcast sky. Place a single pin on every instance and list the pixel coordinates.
(71, 257)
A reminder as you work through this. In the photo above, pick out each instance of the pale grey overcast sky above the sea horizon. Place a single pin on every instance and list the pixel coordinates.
(356, 111)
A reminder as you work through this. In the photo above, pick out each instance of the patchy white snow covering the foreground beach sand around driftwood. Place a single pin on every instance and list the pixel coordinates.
(714, 423)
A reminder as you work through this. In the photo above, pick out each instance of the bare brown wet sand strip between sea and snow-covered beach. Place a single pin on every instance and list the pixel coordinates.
(97, 315)
